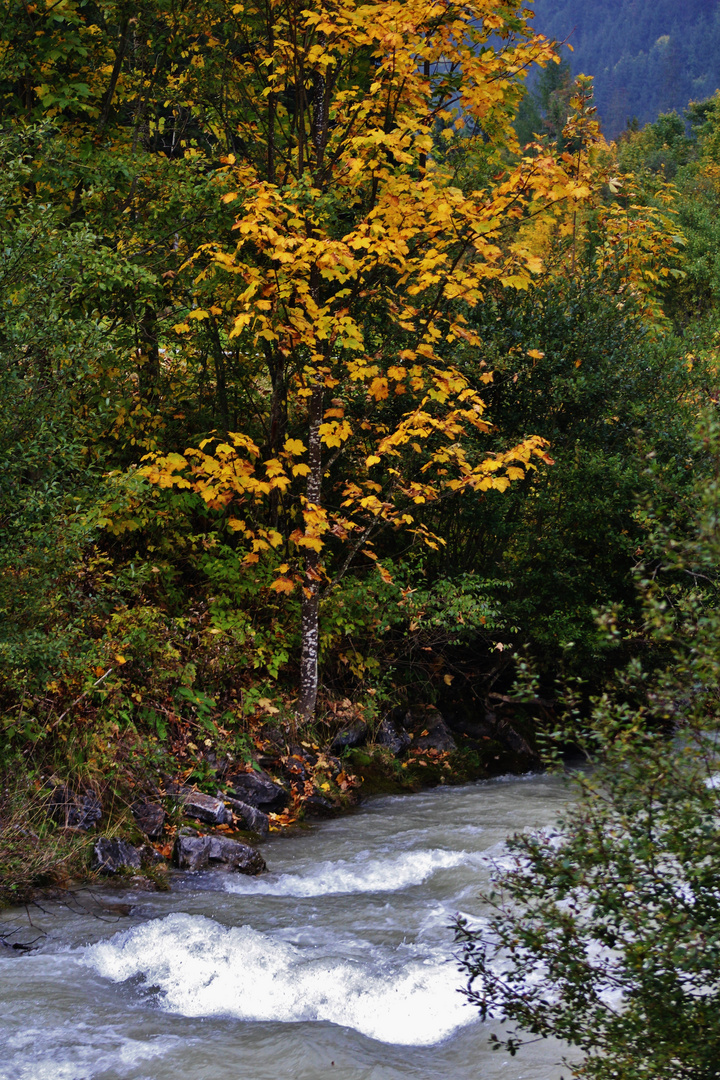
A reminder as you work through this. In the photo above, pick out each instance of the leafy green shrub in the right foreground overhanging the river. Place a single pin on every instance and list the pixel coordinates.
(606, 933)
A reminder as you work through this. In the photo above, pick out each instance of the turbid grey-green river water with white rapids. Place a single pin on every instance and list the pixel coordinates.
(338, 964)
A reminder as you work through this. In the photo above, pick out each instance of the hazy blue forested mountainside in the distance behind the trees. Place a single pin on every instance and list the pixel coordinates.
(648, 57)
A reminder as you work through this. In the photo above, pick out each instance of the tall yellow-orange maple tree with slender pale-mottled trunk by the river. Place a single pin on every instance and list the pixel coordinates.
(357, 260)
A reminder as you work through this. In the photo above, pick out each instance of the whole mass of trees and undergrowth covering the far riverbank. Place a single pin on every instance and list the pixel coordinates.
(327, 402)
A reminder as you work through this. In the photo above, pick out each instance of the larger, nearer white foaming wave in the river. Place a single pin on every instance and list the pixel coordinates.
(203, 969)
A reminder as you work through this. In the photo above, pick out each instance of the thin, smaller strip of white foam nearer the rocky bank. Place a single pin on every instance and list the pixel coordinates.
(364, 874)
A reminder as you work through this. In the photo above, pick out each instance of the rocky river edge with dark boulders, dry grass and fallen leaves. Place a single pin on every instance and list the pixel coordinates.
(67, 831)
